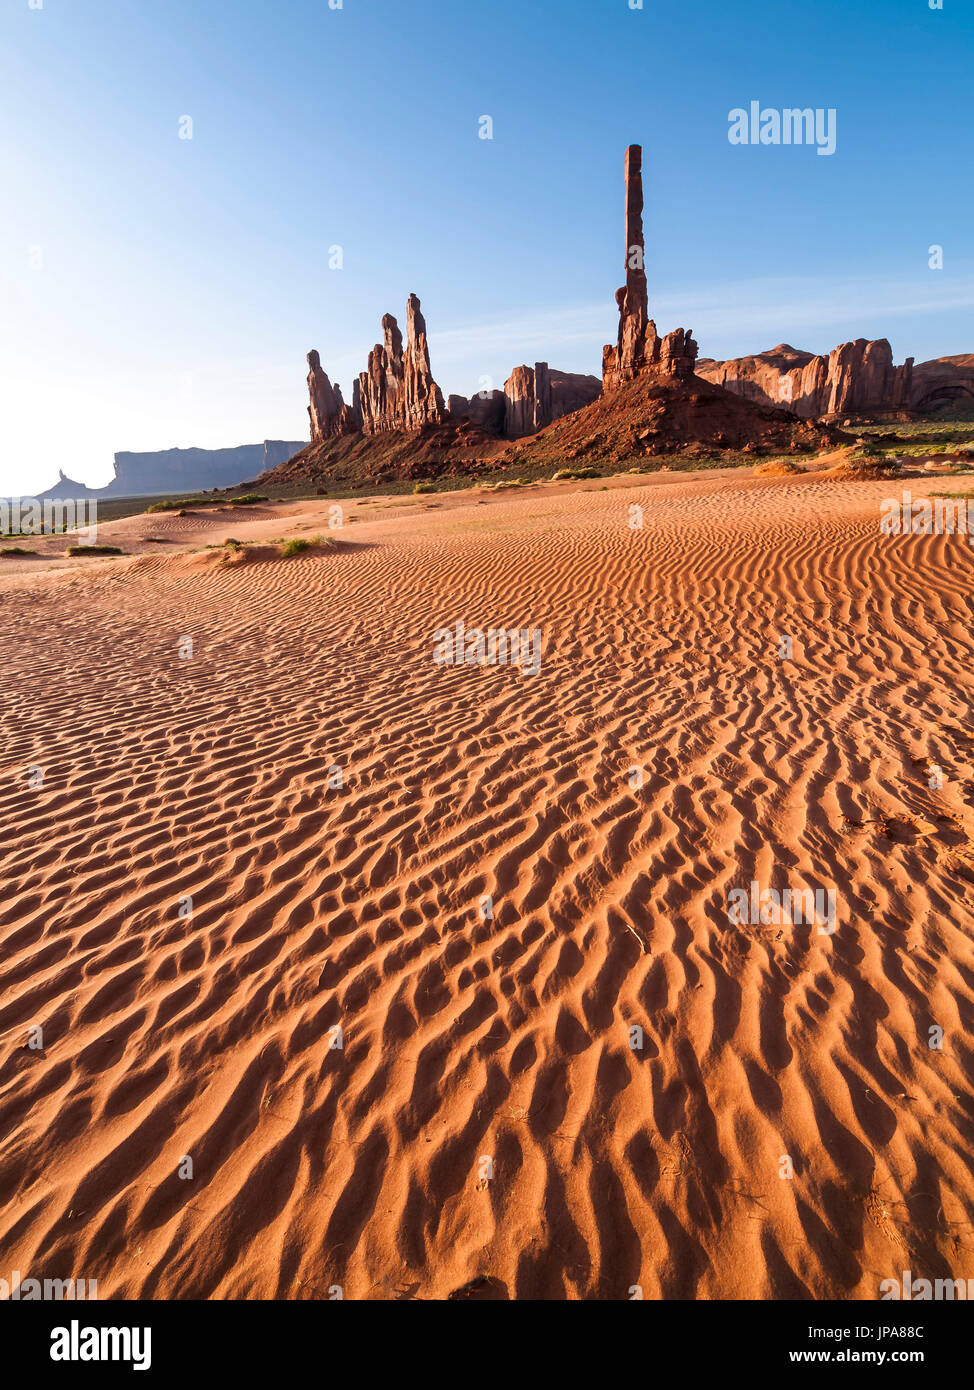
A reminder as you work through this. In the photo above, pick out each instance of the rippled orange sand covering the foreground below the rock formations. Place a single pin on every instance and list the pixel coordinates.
(358, 907)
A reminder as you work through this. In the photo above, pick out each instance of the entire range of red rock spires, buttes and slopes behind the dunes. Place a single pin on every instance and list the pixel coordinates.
(654, 395)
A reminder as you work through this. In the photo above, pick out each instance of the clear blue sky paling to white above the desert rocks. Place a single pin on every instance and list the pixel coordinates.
(158, 291)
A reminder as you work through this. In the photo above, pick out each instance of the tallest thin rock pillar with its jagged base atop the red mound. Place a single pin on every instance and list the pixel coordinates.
(640, 351)
